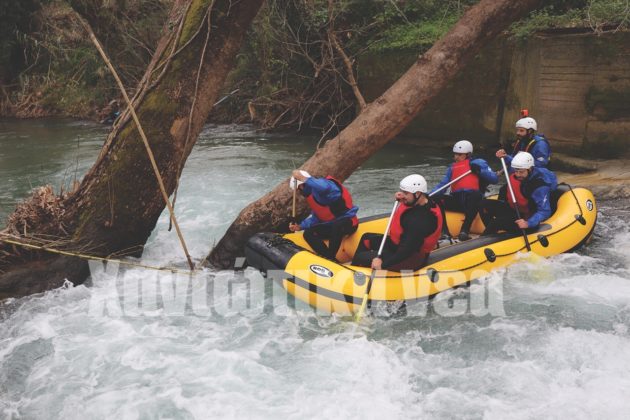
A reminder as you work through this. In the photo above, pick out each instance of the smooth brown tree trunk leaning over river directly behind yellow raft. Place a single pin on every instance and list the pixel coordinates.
(381, 121)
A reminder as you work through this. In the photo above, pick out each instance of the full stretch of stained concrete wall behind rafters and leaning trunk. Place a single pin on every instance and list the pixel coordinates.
(577, 86)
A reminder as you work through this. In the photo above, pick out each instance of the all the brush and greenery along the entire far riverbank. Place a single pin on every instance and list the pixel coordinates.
(298, 68)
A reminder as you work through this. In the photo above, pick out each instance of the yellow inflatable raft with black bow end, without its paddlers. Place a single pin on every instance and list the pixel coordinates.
(339, 287)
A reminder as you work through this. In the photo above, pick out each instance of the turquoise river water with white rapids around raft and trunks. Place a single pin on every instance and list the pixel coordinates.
(560, 348)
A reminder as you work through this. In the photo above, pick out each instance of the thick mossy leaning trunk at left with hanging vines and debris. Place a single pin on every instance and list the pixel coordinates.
(118, 203)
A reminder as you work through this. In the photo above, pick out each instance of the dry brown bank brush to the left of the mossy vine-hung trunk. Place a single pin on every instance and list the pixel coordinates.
(49, 66)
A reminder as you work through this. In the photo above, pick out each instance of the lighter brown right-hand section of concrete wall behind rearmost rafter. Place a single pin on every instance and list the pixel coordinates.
(577, 86)
